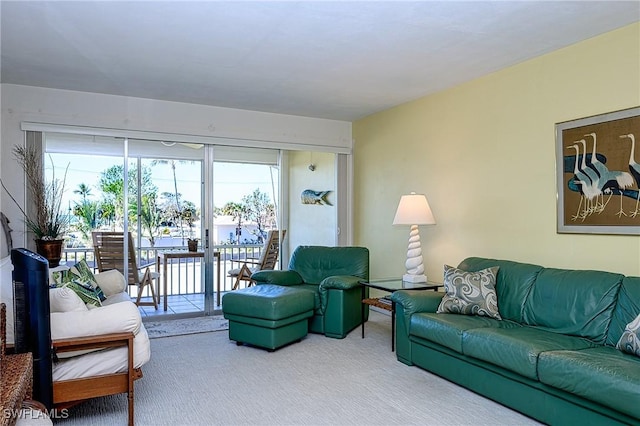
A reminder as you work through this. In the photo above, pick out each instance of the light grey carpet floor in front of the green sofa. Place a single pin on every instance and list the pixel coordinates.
(205, 379)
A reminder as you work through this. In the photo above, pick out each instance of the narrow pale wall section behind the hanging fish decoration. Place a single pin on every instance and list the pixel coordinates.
(311, 224)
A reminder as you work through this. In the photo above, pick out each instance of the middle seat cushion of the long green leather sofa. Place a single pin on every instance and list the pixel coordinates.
(517, 349)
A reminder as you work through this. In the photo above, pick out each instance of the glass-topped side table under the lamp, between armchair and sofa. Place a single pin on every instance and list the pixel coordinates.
(389, 285)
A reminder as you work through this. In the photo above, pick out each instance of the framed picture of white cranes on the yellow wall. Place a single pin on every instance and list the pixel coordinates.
(598, 174)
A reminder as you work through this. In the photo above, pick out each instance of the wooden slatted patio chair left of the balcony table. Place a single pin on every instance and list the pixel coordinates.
(109, 251)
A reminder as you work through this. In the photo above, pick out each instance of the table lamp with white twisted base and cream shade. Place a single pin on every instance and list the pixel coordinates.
(414, 210)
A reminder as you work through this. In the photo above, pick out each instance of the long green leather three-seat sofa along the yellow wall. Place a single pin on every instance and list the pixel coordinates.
(551, 357)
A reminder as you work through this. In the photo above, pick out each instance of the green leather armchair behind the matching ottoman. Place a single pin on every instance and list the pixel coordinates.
(332, 274)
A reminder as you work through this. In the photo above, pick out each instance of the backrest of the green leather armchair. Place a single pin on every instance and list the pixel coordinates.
(315, 263)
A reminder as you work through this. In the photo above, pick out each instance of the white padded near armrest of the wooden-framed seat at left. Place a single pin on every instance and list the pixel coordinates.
(117, 318)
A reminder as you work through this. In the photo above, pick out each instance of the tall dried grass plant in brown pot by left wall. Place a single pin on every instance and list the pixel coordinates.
(49, 223)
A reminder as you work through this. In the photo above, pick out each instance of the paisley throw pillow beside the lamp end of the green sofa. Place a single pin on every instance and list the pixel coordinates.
(470, 293)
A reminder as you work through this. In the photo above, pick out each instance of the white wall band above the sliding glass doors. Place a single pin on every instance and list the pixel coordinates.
(62, 107)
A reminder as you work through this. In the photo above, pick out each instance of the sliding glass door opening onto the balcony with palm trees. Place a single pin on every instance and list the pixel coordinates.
(222, 200)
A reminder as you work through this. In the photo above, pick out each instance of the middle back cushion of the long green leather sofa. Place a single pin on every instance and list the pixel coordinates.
(577, 303)
